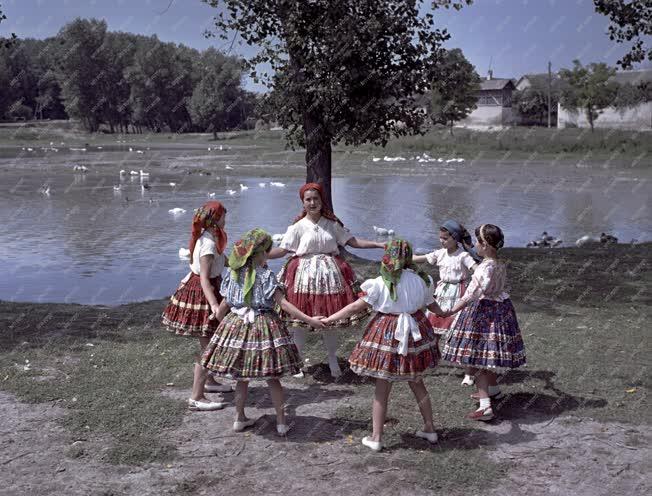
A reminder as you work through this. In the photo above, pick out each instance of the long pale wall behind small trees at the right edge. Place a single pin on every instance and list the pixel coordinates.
(638, 118)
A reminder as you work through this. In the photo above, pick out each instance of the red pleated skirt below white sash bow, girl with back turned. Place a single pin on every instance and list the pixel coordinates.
(376, 354)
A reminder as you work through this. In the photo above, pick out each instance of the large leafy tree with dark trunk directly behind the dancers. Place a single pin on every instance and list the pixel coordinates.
(348, 71)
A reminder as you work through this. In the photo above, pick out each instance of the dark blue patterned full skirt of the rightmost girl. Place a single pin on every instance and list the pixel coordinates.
(486, 335)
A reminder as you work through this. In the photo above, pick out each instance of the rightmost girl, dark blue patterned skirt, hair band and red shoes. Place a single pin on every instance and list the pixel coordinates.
(485, 335)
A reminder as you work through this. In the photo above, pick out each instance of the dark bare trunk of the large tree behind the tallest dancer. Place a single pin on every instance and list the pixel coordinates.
(318, 157)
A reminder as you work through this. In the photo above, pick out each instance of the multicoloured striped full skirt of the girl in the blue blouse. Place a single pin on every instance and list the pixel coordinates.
(262, 349)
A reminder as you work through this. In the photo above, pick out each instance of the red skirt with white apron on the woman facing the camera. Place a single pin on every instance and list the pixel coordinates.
(320, 285)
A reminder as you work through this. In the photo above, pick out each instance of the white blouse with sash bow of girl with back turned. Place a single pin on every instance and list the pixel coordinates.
(412, 294)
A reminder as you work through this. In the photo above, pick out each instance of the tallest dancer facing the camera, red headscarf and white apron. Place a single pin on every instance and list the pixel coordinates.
(317, 279)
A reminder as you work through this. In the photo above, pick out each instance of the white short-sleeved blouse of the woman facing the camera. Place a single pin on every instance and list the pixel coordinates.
(307, 238)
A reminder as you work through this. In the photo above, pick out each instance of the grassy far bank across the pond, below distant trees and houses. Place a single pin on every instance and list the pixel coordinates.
(518, 143)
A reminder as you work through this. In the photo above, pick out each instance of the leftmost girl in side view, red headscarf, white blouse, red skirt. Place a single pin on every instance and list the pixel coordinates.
(198, 296)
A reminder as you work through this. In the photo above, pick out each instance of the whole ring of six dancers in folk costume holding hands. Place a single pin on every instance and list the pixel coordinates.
(242, 313)
